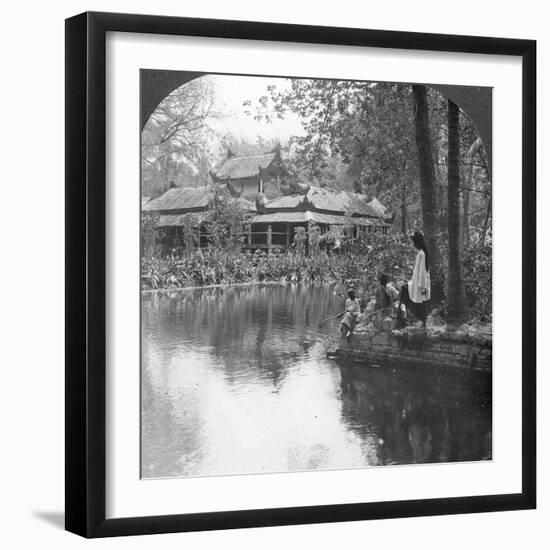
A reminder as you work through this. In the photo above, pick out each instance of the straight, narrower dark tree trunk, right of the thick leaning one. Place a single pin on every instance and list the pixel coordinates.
(457, 303)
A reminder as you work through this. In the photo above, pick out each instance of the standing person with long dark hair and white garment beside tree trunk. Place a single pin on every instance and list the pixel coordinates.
(416, 294)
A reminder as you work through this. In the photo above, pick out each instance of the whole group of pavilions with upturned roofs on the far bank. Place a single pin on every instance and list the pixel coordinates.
(272, 221)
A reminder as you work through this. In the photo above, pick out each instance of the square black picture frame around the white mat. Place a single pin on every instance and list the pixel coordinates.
(86, 264)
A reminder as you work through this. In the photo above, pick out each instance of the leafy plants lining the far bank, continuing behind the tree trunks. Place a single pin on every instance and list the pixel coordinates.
(392, 255)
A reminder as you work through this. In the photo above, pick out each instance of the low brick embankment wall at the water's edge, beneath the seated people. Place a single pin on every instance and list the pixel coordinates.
(418, 347)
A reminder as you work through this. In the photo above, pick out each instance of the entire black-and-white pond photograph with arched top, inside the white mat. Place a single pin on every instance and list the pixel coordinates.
(316, 274)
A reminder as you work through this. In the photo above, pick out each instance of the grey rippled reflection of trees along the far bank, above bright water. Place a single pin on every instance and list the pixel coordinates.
(247, 329)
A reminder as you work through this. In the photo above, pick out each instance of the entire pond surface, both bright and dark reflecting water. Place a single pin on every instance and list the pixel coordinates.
(235, 380)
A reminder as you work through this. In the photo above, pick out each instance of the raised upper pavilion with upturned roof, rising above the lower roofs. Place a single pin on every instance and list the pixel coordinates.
(248, 176)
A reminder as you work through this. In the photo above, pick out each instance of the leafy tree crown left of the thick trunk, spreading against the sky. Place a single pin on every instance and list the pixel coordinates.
(357, 135)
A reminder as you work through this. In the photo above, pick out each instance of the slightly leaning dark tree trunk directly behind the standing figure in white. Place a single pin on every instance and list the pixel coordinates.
(427, 186)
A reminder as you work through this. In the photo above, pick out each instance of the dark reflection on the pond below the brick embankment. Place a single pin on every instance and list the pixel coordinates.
(419, 415)
